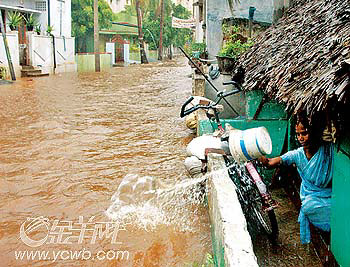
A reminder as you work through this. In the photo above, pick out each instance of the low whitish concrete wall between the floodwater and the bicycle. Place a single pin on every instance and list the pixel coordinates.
(231, 241)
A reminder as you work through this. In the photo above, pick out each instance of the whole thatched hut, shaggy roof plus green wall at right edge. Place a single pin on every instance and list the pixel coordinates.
(303, 61)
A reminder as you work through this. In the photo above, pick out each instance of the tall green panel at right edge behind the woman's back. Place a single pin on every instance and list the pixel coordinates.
(340, 218)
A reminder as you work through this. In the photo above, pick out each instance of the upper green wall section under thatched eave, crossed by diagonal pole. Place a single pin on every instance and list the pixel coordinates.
(270, 110)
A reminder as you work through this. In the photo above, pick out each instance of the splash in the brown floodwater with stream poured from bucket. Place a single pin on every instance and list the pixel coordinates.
(148, 202)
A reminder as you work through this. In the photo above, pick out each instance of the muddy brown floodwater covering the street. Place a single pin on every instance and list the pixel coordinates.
(67, 141)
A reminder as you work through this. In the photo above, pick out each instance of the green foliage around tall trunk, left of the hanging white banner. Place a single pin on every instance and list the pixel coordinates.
(171, 36)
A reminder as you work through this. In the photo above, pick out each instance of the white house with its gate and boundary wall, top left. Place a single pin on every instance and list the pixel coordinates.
(50, 54)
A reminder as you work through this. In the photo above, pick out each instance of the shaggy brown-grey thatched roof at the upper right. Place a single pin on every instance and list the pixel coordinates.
(303, 60)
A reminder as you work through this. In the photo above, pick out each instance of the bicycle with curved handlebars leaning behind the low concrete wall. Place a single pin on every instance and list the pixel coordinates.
(256, 201)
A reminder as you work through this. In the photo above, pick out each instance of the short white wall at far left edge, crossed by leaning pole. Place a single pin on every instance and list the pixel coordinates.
(12, 40)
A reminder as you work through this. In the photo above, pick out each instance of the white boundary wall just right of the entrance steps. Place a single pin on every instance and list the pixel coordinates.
(41, 53)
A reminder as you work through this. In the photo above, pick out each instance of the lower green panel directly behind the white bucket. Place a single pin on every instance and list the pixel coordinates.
(276, 128)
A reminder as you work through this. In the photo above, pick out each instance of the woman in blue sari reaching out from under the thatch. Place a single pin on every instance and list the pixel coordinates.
(314, 161)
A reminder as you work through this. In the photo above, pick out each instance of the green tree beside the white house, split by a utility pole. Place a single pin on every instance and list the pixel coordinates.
(83, 20)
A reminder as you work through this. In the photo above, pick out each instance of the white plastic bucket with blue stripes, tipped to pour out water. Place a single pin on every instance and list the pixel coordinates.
(249, 144)
